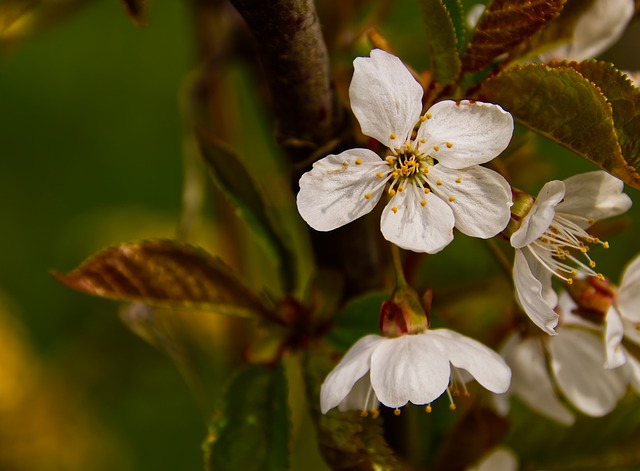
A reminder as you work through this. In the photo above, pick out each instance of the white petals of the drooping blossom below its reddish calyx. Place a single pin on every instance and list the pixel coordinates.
(410, 368)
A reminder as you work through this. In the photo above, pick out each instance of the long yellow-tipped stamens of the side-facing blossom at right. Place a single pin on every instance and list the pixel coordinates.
(562, 243)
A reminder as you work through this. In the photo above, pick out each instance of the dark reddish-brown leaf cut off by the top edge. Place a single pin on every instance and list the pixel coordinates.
(504, 25)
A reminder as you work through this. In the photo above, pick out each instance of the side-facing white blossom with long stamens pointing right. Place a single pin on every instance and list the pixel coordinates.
(552, 239)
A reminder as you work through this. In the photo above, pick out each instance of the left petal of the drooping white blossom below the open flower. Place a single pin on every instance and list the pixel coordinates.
(353, 366)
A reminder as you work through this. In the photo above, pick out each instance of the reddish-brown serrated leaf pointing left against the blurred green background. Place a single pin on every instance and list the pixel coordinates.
(164, 273)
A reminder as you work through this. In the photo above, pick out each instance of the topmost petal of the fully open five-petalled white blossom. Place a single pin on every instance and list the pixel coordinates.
(385, 97)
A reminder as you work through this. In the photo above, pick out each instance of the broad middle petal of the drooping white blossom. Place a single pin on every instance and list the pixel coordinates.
(409, 368)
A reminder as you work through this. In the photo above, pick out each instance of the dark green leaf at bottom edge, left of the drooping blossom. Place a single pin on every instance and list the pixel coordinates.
(252, 432)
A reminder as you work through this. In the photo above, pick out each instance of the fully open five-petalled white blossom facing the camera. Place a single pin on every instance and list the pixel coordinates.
(434, 179)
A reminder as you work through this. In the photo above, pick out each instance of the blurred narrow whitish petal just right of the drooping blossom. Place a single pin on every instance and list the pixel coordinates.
(531, 381)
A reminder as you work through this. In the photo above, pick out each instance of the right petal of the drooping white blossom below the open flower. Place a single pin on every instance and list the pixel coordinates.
(485, 365)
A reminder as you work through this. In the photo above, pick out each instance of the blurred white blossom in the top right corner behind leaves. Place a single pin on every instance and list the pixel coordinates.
(596, 30)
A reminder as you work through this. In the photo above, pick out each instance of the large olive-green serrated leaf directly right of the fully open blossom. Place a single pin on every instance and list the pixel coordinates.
(561, 104)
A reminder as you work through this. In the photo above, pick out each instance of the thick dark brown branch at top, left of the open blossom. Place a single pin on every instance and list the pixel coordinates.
(296, 63)
